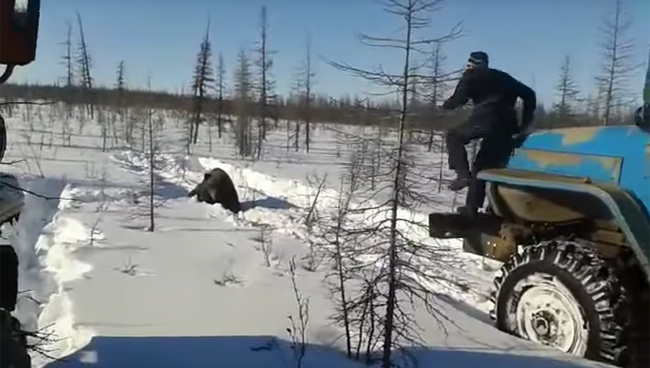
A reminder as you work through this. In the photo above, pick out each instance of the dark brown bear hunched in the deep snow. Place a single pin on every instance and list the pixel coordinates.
(217, 187)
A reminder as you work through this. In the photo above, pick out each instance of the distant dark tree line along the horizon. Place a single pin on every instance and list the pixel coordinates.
(213, 98)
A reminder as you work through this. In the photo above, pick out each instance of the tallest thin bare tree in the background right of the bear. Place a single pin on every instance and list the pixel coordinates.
(265, 85)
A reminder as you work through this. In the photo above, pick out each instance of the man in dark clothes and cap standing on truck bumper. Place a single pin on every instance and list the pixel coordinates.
(493, 94)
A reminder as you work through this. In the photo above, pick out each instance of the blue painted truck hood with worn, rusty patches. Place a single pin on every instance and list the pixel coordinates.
(626, 142)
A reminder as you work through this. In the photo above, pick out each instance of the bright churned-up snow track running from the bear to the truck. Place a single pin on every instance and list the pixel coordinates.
(454, 263)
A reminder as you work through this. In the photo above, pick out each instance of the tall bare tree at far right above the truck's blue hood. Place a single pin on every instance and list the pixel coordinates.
(617, 49)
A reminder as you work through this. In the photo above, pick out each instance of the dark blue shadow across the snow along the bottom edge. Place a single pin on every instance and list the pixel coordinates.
(263, 352)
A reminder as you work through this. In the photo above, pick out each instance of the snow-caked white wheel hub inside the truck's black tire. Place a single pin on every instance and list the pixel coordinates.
(548, 313)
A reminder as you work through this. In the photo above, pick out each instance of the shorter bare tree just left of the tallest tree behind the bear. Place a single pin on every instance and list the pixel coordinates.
(243, 102)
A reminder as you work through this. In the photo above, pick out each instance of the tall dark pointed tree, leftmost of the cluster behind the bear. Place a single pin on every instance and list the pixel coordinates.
(201, 82)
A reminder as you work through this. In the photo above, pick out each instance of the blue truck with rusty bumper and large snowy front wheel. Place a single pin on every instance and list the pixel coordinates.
(568, 217)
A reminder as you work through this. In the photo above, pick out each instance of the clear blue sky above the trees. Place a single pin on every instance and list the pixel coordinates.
(526, 38)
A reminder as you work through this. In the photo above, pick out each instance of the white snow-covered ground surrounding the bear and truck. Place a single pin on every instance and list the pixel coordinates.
(198, 291)
